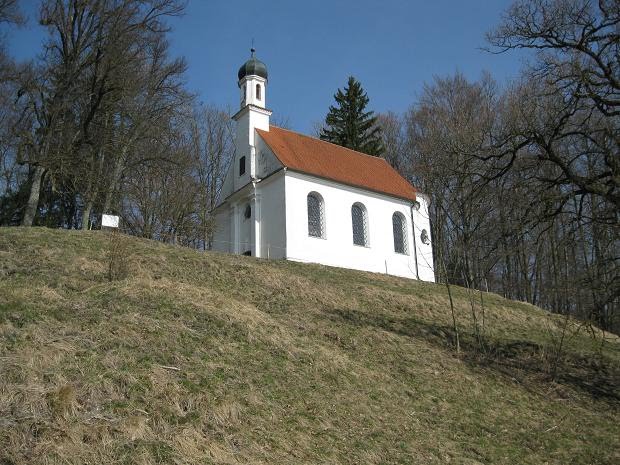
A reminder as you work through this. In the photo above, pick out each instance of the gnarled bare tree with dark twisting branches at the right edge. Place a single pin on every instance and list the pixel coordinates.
(563, 117)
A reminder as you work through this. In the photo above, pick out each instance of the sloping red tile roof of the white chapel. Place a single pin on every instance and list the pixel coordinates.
(323, 159)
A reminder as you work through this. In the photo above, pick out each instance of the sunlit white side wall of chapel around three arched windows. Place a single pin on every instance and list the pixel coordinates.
(337, 248)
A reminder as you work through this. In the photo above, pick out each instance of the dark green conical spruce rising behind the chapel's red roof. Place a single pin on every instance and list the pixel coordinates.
(347, 123)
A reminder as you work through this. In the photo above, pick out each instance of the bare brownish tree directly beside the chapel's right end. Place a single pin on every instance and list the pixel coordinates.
(446, 130)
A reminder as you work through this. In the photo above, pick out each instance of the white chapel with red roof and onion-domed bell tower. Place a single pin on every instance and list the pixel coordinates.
(295, 197)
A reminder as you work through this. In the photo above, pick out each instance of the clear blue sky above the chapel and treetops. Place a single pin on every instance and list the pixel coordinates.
(391, 46)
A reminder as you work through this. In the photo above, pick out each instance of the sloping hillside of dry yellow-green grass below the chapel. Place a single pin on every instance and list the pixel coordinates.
(208, 358)
